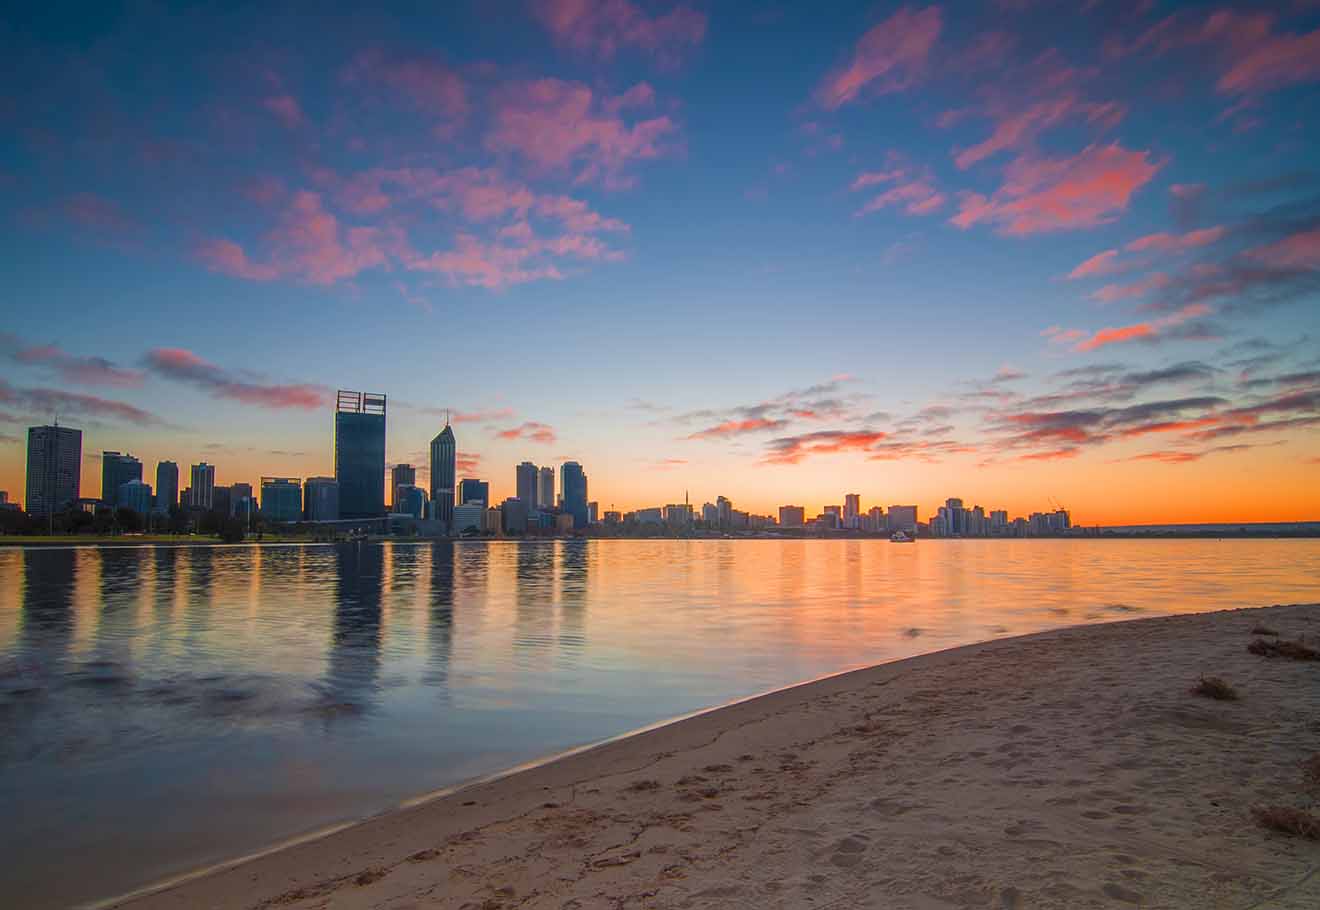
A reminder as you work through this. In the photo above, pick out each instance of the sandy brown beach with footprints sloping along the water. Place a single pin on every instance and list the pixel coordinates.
(1069, 769)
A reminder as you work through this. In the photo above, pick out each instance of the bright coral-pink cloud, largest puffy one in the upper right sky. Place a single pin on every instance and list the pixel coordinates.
(1054, 195)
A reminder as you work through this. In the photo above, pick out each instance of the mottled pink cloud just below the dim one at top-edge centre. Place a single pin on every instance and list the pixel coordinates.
(564, 126)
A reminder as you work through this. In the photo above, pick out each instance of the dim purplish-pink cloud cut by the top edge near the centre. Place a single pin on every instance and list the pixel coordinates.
(603, 28)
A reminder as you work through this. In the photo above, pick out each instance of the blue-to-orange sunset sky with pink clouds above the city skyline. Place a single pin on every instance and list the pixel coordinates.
(1010, 252)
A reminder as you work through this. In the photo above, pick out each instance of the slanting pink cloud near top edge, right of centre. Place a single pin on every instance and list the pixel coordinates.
(892, 55)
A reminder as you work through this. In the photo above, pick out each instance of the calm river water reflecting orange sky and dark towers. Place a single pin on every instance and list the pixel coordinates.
(162, 709)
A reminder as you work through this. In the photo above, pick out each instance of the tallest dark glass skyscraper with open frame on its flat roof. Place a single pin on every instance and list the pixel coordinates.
(360, 454)
